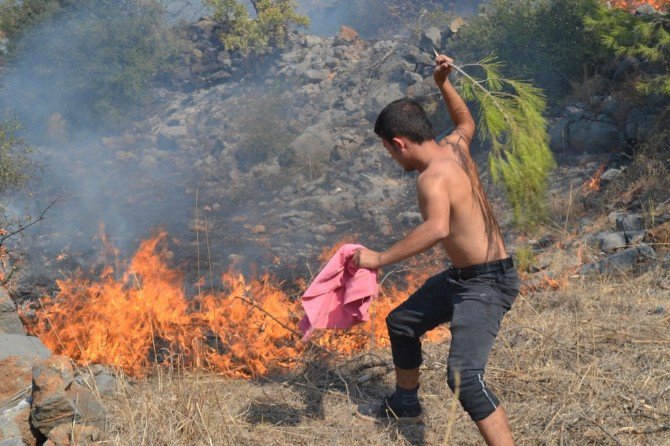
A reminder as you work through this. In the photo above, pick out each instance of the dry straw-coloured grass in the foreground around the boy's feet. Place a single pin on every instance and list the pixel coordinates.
(586, 365)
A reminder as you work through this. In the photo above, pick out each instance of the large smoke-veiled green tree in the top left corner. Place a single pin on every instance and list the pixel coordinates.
(89, 61)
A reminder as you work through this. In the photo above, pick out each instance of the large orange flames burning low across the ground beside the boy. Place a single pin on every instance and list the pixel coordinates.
(145, 317)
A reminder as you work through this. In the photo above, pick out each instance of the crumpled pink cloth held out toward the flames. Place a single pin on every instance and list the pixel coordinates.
(340, 295)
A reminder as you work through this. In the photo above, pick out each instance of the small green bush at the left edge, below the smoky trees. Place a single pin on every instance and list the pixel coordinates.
(14, 162)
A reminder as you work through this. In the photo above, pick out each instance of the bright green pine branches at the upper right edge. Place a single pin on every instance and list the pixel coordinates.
(646, 37)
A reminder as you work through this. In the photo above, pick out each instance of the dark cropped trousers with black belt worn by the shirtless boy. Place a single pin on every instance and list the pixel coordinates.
(475, 303)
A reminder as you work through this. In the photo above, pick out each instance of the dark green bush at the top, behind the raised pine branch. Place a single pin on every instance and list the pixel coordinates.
(542, 40)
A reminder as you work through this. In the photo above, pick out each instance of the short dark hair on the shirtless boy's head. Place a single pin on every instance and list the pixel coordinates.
(404, 117)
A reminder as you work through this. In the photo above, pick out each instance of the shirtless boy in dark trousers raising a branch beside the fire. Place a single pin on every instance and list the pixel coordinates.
(475, 292)
